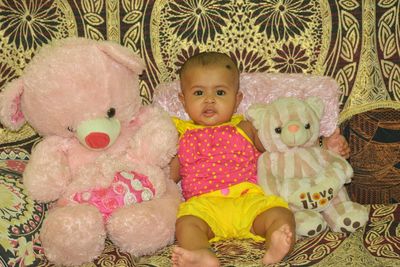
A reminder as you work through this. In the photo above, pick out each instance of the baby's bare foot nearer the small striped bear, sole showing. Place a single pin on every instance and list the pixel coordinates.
(280, 244)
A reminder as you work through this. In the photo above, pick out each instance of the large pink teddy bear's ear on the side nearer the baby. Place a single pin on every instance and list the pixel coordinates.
(123, 56)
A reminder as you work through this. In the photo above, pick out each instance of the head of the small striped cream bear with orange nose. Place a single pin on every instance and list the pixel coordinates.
(287, 122)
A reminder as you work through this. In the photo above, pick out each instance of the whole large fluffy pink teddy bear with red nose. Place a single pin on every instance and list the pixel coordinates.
(104, 157)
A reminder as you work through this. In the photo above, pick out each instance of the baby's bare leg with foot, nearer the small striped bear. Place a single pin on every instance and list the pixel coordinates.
(277, 225)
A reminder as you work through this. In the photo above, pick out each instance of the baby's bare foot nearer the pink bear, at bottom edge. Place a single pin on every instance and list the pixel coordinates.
(203, 257)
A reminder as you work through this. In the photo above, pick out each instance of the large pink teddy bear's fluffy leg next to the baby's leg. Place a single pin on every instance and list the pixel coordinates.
(148, 226)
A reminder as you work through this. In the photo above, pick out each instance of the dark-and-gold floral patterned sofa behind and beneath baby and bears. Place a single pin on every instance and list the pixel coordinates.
(355, 42)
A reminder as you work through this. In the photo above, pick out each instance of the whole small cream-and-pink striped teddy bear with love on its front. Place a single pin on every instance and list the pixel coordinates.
(296, 168)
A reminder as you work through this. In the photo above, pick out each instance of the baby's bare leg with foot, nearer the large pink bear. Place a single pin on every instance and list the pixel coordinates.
(194, 249)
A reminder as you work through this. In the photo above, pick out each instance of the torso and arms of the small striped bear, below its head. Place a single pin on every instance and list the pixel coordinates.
(306, 180)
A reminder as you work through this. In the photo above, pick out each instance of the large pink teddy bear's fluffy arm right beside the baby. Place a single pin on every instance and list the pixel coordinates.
(156, 139)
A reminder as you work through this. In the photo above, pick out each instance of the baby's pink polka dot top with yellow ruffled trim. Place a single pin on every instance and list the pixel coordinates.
(214, 158)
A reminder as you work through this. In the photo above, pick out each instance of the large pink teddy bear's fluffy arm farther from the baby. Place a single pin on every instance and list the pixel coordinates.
(47, 173)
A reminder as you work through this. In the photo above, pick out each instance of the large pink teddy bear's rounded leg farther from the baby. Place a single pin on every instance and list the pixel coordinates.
(73, 235)
